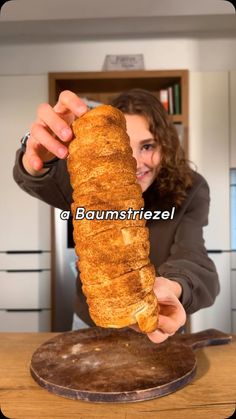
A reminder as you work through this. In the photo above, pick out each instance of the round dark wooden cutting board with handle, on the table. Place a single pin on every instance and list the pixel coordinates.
(109, 365)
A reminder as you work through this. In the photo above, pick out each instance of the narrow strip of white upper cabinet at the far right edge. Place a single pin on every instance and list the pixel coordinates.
(233, 119)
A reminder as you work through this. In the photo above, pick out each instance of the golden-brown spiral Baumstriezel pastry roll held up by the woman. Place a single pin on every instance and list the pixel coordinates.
(117, 277)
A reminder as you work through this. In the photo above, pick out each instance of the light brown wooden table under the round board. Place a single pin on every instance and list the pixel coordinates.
(212, 393)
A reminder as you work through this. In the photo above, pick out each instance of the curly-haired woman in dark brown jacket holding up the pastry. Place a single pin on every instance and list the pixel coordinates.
(186, 278)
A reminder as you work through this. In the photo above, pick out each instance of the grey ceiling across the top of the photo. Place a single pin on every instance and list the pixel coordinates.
(64, 20)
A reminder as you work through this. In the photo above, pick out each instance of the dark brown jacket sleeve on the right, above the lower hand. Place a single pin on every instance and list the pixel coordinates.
(188, 262)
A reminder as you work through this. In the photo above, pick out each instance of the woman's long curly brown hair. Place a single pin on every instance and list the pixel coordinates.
(175, 175)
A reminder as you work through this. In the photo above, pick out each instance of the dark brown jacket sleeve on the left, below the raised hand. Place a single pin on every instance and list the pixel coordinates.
(53, 187)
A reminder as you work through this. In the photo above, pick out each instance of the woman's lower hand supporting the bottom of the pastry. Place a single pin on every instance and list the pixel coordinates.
(172, 314)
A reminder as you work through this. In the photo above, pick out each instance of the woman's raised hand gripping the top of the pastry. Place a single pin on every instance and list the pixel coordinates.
(51, 132)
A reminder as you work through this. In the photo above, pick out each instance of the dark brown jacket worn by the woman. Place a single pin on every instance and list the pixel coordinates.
(177, 246)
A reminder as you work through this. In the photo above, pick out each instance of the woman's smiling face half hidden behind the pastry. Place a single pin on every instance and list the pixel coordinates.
(145, 149)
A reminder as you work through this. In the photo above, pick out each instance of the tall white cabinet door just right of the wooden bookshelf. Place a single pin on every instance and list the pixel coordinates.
(209, 148)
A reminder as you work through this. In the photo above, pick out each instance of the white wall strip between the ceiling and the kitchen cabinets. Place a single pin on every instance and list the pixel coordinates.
(195, 54)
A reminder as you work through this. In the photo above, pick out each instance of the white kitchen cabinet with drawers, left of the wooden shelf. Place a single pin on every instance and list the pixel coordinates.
(25, 248)
